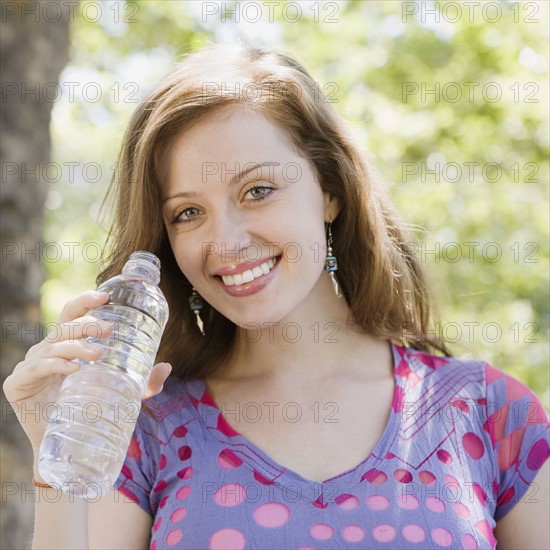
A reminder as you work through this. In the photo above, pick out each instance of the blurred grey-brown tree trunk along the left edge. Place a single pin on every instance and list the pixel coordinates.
(34, 45)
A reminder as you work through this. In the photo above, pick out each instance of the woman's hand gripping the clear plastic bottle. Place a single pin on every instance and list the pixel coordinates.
(34, 385)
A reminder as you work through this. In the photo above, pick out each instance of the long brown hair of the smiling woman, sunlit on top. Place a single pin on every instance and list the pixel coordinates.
(381, 279)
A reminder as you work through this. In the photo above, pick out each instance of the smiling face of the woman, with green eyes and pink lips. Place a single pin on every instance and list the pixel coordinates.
(245, 216)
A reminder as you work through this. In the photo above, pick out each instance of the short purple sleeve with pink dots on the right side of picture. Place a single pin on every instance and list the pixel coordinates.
(518, 426)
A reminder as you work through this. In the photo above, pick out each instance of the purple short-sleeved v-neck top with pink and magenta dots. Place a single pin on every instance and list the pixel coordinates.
(461, 447)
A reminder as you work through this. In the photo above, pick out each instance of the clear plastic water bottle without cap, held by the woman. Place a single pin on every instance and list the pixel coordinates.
(90, 428)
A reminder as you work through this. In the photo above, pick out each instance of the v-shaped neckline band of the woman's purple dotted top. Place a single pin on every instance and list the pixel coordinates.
(268, 471)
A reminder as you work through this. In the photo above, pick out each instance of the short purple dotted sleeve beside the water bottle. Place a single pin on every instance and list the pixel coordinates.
(137, 476)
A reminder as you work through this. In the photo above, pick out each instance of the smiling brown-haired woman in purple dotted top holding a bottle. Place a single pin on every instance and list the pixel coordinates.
(306, 408)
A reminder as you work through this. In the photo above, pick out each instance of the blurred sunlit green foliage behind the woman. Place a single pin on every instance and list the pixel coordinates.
(492, 187)
